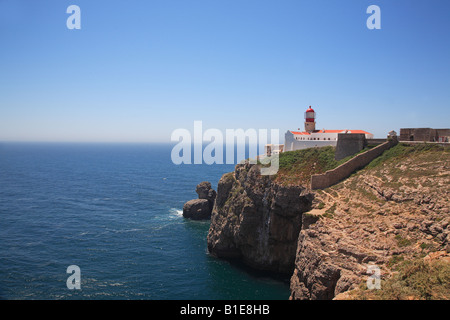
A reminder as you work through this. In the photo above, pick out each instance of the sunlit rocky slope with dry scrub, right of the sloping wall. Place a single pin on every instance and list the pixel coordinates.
(397, 209)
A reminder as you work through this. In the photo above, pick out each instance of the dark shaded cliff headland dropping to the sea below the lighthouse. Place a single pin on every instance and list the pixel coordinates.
(257, 220)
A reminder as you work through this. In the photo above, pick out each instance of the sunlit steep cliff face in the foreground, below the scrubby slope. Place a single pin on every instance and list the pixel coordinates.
(328, 261)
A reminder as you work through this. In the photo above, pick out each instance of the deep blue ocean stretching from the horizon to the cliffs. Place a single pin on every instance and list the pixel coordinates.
(115, 211)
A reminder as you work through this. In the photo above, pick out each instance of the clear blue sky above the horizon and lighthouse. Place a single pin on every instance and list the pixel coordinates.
(137, 70)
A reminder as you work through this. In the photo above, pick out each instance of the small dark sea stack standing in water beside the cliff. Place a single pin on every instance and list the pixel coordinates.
(201, 208)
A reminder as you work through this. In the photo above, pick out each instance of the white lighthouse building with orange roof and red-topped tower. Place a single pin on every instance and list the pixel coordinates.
(296, 140)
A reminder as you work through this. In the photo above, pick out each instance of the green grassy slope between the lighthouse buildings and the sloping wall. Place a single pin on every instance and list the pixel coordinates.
(297, 167)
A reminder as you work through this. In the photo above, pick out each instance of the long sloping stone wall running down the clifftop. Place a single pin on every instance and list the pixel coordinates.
(331, 177)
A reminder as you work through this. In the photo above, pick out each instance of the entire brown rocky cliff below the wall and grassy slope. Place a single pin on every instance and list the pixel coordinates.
(394, 211)
